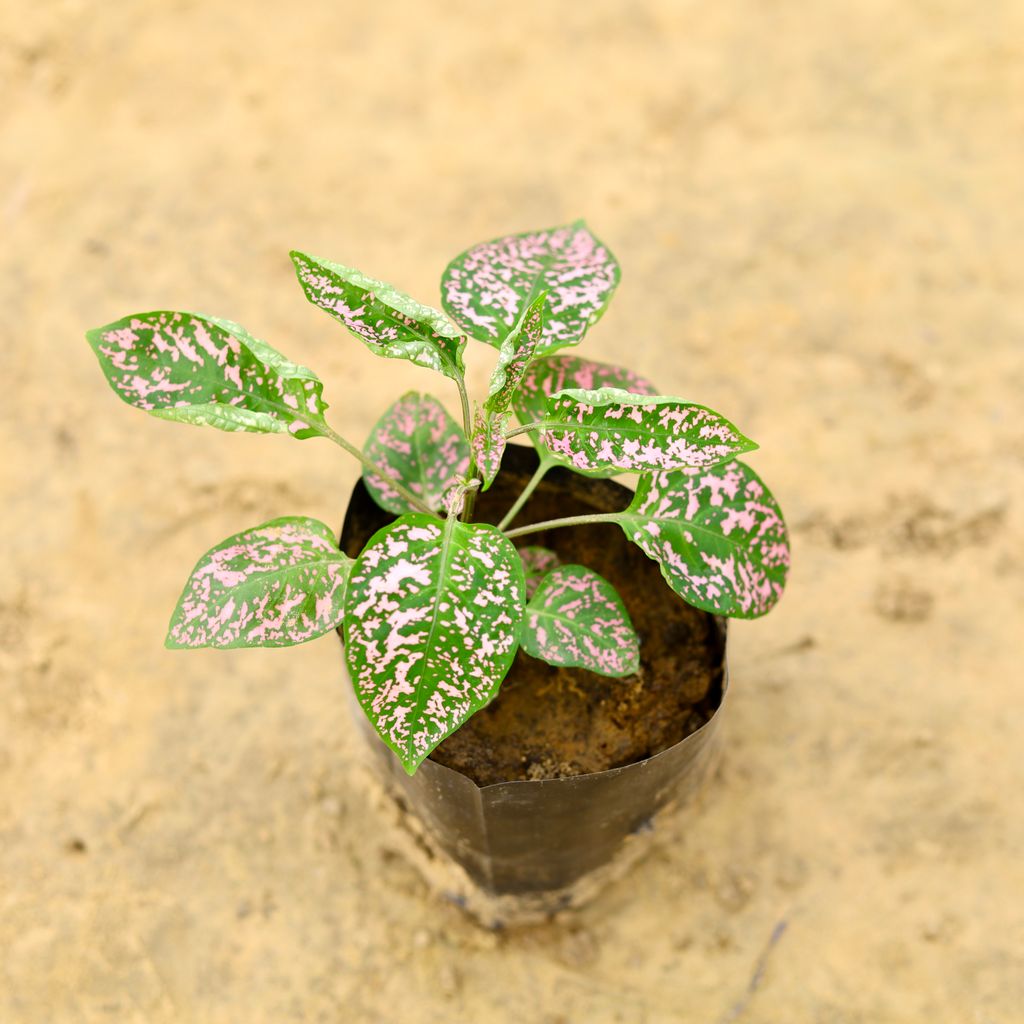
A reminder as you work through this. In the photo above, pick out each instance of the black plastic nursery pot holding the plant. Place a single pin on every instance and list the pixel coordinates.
(532, 847)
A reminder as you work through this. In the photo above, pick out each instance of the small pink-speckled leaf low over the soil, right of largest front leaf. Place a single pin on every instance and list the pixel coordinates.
(577, 619)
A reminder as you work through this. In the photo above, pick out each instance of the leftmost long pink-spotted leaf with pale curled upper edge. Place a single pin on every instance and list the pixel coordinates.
(202, 370)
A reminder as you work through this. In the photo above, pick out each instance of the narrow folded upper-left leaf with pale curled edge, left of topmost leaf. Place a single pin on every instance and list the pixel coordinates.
(391, 323)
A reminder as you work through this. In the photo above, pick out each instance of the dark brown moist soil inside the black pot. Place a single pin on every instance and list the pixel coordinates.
(551, 723)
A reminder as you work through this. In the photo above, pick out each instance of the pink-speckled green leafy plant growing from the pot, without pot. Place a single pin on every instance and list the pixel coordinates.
(437, 606)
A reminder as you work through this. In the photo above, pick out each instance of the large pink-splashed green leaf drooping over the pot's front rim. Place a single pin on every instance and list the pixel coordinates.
(433, 621)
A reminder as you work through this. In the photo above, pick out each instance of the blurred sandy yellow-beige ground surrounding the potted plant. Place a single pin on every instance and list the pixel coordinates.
(820, 208)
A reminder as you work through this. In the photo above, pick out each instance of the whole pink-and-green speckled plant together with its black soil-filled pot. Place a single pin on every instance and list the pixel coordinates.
(461, 554)
